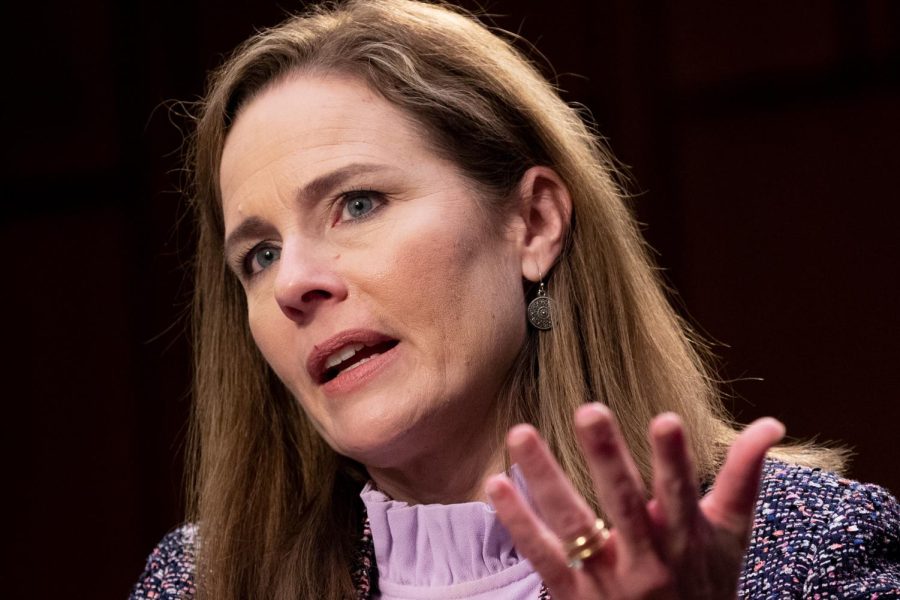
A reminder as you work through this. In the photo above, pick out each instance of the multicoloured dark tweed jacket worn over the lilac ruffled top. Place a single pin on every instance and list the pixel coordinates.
(815, 536)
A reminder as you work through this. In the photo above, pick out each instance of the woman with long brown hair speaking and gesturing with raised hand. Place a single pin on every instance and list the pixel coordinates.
(384, 190)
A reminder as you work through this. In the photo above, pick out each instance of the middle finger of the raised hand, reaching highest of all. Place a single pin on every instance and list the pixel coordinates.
(616, 481)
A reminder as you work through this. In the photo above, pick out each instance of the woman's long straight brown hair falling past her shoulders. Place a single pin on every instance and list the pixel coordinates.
(278, 510)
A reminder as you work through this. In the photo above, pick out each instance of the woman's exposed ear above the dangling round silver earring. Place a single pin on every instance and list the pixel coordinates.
(545, 207)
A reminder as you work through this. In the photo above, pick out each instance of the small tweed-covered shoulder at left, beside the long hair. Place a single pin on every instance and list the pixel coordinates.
(169, 572)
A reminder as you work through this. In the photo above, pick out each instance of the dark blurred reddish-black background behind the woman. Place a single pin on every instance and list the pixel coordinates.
(762, 142)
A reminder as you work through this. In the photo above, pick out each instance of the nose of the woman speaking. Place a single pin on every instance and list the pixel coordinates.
(307, 281)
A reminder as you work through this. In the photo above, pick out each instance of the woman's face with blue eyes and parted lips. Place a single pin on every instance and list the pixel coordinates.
(375, 288)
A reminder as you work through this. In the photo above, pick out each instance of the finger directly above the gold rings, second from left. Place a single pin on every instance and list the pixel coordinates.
(561, 506)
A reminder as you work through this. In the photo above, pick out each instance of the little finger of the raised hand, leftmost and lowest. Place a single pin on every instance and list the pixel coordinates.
(531, 537)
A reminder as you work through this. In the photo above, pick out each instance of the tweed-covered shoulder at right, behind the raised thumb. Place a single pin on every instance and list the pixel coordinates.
(815, 532)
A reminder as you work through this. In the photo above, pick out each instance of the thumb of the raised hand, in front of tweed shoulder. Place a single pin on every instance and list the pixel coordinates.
(733, 497)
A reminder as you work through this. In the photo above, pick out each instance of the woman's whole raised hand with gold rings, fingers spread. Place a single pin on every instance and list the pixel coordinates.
(675, 545)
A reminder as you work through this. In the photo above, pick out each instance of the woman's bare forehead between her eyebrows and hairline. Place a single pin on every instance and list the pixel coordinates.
(308, 123)
